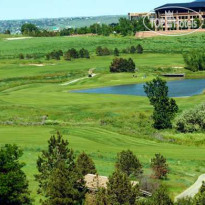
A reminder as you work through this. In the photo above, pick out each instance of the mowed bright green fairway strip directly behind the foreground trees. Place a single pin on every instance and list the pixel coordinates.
(186, 163)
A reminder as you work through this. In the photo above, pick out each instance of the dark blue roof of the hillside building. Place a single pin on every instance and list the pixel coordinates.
(191, 5)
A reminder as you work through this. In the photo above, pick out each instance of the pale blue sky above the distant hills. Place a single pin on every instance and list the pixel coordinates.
(33, 9)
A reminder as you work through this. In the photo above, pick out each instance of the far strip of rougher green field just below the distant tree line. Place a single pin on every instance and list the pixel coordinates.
(10, 49)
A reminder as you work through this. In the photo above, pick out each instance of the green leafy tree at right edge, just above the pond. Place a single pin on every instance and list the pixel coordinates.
(195, 60)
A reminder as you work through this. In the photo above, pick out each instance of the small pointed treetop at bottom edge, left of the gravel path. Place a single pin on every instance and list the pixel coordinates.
(161, 197)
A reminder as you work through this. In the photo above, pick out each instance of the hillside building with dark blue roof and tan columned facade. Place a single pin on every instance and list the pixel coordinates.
(176, 16)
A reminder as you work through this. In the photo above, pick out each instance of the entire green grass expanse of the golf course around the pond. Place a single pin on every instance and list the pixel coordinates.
(101, 125)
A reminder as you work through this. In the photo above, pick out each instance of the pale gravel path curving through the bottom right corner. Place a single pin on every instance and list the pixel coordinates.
(192, 190)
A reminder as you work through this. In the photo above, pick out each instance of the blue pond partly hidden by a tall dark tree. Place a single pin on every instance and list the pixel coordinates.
(177, 88)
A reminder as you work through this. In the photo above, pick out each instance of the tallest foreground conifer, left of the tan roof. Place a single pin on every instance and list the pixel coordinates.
(58, 177)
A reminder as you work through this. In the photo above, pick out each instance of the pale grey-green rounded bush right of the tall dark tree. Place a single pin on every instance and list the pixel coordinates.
(192, 120)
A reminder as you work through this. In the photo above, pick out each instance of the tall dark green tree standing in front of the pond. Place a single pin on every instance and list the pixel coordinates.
(164, 108)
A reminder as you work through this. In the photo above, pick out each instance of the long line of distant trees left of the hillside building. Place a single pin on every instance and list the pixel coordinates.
(124, 27)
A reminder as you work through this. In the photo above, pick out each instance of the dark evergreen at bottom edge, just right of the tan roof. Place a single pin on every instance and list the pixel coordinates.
(120, 190)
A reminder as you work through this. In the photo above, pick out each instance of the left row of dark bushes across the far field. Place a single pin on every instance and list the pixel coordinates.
(71, 53)
